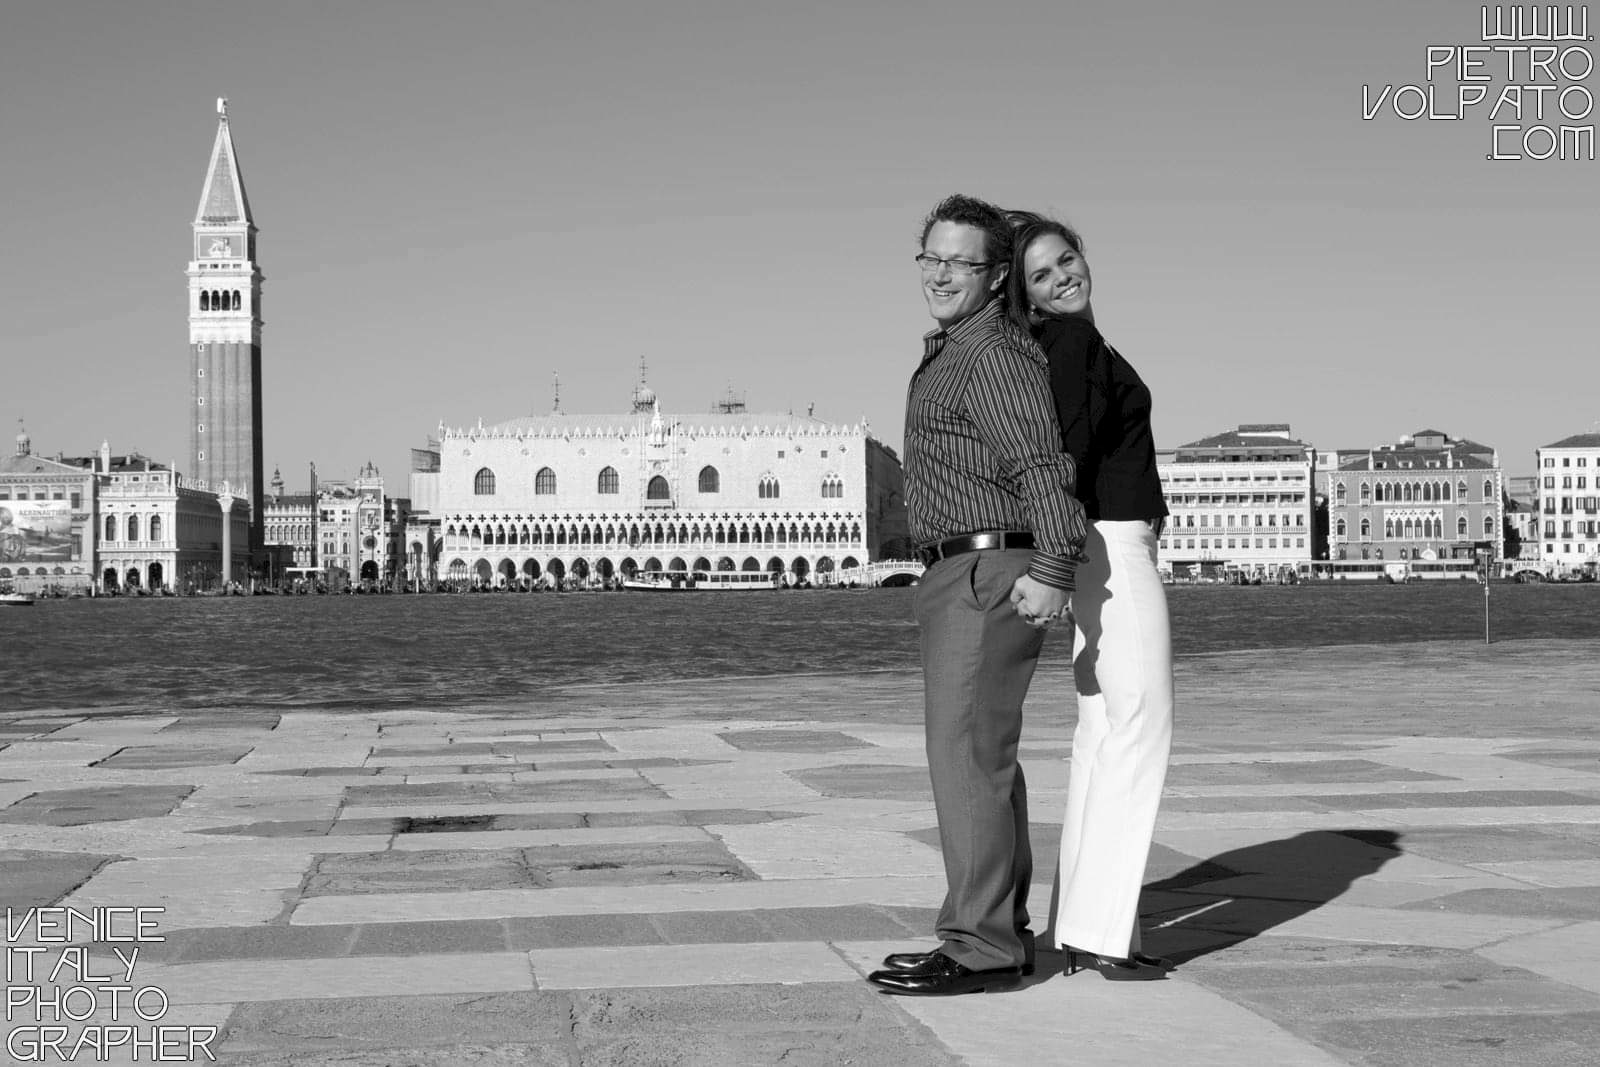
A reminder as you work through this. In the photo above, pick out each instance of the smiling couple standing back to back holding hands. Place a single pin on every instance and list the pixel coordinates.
(1034, 498)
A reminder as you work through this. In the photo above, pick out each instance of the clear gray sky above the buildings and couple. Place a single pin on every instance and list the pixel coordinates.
(462, 204)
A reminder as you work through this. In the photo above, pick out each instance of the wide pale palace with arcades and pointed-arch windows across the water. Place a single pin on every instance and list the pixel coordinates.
(591, 497)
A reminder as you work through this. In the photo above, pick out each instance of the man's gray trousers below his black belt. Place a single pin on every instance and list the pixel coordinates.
(978, 661)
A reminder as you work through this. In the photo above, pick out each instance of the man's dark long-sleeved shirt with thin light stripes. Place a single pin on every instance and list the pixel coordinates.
(983, 449)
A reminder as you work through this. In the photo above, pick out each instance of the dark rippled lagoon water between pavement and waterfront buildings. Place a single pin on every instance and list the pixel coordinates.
(465, 650)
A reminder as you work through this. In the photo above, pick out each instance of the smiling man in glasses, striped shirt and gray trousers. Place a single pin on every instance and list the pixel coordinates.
(990, 492)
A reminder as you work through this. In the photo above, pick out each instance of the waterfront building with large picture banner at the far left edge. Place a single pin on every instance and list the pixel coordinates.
(47, 522)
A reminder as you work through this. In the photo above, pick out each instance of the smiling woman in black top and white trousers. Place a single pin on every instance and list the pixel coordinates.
(1122, 647)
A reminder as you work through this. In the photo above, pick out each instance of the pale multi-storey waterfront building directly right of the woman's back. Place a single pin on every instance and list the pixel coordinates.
(1241, 503)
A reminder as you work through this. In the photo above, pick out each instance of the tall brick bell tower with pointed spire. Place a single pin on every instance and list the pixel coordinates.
(225, 335)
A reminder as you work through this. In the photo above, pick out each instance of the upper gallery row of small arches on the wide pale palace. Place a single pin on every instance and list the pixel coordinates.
(652, 533)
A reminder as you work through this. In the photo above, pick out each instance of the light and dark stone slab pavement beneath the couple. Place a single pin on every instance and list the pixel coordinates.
(1366, 857)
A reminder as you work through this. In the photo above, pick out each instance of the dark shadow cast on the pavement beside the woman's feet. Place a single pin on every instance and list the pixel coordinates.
(1236, 897)
